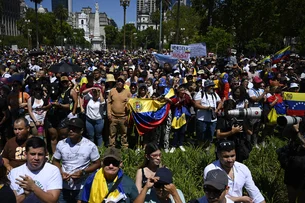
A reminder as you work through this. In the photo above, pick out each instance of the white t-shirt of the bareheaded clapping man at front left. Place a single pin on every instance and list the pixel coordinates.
(48, 178)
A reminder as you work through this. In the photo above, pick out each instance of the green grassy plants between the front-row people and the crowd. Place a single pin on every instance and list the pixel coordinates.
(187, 168)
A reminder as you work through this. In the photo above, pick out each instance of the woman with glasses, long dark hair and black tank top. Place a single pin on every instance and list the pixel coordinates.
(152, 161)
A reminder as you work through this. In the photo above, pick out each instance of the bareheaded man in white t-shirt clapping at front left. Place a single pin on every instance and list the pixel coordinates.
(36, 180)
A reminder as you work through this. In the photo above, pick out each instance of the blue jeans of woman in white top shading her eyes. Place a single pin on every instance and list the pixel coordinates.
(94, 129)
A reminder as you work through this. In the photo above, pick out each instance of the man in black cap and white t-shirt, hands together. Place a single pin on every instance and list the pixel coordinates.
(73, 156)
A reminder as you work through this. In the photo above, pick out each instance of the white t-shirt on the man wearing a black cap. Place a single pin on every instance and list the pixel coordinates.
(74, 158)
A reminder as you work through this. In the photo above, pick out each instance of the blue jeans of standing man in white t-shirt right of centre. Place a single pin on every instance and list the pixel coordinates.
(205, 130)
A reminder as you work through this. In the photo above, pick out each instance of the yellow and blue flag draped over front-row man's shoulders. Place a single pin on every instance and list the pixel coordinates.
(96, 189)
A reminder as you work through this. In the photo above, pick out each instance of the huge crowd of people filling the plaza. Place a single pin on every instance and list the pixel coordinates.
(67, 116)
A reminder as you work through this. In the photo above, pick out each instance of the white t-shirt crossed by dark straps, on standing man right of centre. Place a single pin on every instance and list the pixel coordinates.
(206, 100)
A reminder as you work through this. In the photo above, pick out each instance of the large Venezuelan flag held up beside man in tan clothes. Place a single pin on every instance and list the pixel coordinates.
(147, 114)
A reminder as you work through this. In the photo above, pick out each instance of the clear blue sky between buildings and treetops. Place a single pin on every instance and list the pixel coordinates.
(111, 7)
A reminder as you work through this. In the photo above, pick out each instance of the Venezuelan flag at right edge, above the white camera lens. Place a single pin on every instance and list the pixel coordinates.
(295, 103)
